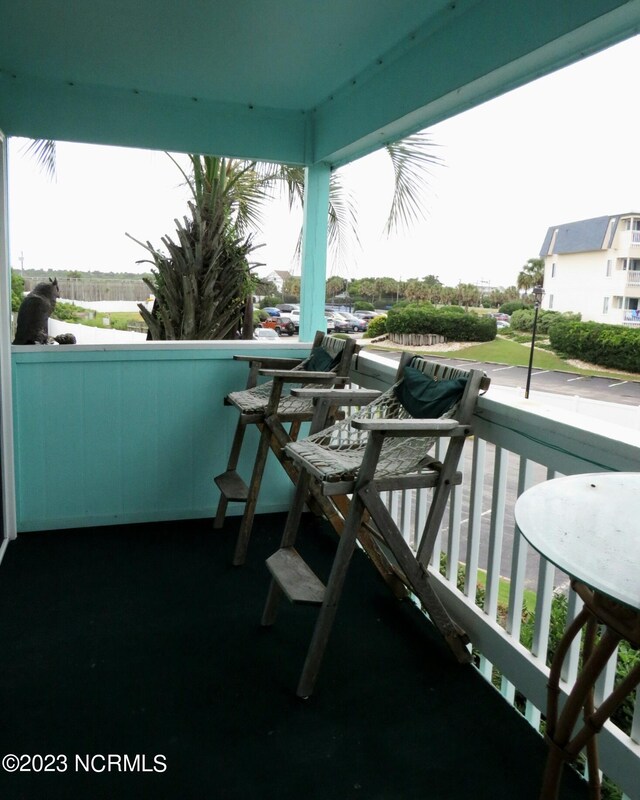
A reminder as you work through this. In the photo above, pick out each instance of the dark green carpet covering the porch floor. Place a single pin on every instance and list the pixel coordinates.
(145, 640)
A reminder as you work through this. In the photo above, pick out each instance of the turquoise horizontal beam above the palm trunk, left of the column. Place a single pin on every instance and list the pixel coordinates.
(102, 115)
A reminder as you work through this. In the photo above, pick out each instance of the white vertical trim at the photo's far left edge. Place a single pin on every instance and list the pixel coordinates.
(6, 394)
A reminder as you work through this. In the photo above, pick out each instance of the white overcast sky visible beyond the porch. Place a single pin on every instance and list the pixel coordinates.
(560, 149)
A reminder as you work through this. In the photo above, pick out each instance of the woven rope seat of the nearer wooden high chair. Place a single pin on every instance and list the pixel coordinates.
(335, 454)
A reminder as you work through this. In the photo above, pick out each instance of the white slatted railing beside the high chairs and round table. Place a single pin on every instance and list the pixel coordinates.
(513, 449)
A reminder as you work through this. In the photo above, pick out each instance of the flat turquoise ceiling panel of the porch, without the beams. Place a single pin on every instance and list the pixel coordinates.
(276, 53)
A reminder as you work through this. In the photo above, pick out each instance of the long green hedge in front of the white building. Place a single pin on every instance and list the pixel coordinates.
(612, 346)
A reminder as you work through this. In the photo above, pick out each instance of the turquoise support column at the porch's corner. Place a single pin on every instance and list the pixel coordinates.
(314, 250)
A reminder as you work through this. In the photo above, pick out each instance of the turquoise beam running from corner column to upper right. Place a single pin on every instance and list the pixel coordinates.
(441, 70)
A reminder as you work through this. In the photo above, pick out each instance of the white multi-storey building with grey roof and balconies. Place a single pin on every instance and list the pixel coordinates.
(593, 266)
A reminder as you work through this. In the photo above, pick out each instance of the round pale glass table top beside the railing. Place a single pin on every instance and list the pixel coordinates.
(589, 527)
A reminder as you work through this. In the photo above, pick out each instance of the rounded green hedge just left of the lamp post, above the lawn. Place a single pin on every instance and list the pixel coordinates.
(452, 322)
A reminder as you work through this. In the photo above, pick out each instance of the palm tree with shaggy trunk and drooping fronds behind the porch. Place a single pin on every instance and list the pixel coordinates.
(228, 198)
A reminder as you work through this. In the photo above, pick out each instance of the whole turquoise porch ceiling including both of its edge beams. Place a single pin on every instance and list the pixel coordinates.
(288, 80)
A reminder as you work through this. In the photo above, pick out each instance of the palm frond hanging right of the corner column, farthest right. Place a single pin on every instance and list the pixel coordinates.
(412, 159)
